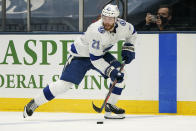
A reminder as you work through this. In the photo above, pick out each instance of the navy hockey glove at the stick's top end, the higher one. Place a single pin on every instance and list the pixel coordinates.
(128, 52)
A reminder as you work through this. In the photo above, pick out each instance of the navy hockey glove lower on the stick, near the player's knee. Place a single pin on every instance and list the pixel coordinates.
(114, 74)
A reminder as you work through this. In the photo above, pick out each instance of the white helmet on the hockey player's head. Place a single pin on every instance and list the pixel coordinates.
(110, 11)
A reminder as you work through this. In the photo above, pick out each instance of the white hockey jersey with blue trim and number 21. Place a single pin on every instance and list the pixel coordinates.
(96, 41)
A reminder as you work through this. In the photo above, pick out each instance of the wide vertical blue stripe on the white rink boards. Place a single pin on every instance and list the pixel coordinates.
(167, 73)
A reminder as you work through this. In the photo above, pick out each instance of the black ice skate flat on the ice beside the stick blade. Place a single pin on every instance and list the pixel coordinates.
(118, 112)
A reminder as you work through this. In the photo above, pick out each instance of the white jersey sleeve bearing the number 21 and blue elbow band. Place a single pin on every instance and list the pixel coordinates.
(96, 50)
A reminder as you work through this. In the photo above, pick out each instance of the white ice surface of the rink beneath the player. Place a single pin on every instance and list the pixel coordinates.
(13, 121)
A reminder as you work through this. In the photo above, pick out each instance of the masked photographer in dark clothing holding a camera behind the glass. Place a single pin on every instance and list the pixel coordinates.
(161, 21)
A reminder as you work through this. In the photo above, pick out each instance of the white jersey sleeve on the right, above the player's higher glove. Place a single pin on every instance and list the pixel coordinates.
(131, 34)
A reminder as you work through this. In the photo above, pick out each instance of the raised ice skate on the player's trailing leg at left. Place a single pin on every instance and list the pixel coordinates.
(29, 108)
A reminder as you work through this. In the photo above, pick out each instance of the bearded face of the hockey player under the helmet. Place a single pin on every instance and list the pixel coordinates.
(108, 22)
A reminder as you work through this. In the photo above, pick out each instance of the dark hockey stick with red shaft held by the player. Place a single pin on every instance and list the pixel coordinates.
(99, 110)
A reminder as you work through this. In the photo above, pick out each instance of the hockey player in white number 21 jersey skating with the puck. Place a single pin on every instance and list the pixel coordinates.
(90, 51)
